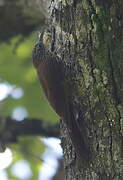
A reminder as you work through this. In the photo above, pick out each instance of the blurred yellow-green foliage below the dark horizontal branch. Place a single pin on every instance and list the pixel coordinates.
(30, 150)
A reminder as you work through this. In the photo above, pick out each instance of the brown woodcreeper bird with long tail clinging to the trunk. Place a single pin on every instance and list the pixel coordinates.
(51, 70)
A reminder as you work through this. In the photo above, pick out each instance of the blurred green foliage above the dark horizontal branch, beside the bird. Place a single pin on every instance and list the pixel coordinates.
(17, 69)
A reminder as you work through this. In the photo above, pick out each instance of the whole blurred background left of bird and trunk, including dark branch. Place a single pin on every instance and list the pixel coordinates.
(29, 154)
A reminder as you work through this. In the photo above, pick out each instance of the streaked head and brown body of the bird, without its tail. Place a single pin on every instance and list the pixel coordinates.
(51, 75)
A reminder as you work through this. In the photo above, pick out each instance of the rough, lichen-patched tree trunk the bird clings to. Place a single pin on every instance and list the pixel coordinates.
(89, 35)
